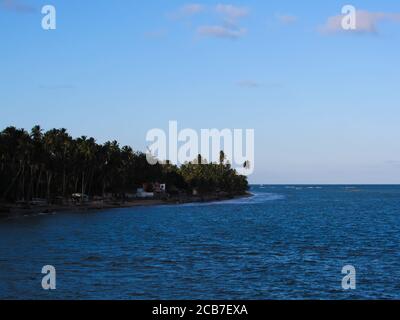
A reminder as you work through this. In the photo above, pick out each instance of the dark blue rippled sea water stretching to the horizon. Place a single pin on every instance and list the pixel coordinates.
(284, 243)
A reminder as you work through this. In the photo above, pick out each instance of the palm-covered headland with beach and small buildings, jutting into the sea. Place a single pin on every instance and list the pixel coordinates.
(51, 171)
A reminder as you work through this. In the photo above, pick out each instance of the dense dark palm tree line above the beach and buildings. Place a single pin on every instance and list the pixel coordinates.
(53, 165)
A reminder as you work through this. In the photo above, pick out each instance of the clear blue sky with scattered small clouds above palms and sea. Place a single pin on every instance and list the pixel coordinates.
(324, 104)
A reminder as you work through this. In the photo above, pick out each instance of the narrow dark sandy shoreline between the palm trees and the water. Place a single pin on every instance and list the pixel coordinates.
(14, 210)
